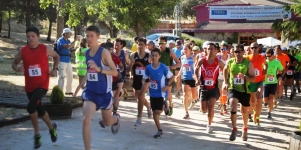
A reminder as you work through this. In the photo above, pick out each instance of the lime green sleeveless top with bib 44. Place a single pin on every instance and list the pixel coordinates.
(238, 84)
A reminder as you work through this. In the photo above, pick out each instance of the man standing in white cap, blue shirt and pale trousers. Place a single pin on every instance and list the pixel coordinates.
(64, 46)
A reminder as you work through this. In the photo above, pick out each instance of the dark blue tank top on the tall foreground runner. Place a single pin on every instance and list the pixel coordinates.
(97, 83)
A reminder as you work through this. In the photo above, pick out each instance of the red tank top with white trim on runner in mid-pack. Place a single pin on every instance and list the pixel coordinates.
(209, 73)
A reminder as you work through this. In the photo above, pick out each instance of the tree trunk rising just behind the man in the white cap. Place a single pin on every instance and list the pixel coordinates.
(60, 19)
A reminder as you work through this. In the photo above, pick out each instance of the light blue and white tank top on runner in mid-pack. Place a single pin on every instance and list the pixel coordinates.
(187, 68)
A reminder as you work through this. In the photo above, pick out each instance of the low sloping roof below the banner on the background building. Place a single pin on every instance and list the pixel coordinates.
(235, 27)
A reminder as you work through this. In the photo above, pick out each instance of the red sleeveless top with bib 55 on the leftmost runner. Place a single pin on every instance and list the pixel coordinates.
(36, 69)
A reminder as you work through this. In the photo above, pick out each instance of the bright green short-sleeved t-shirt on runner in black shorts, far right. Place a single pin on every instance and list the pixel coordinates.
(271, 74)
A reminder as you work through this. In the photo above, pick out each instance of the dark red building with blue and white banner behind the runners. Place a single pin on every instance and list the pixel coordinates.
(239, 21)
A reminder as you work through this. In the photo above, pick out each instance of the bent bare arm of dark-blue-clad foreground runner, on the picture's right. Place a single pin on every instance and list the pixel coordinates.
(107, 60)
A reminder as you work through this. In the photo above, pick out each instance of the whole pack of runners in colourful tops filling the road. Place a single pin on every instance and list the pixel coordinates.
(207, 74)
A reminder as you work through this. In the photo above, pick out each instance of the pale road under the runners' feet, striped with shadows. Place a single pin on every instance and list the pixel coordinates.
(179, 134)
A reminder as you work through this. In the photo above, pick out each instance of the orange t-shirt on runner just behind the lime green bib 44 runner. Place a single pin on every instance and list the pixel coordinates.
(258, 63)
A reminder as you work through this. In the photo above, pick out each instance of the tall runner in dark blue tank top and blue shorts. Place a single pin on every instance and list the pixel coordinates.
(98, 91)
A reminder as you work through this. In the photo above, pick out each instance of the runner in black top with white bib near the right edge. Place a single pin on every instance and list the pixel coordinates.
(290, 73)
